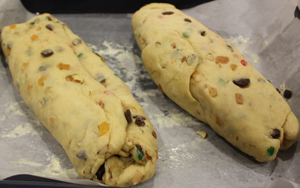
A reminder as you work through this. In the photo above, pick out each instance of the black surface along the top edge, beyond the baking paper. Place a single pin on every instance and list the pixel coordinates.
(99, 6)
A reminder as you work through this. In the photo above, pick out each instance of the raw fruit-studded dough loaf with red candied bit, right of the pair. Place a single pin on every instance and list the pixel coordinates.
(210, 78)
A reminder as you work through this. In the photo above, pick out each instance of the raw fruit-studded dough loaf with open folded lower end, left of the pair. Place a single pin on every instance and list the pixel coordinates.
(81, 101)
